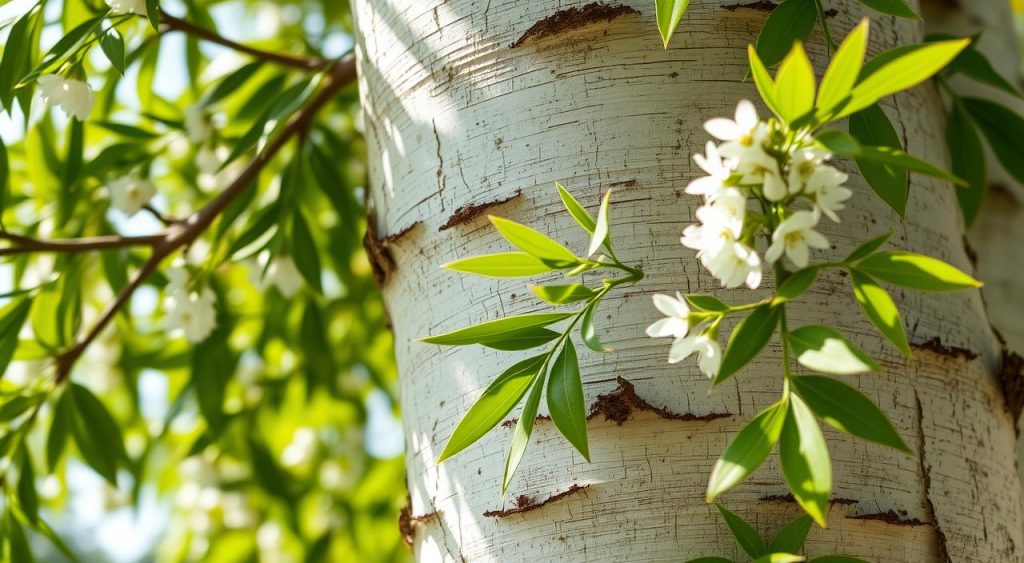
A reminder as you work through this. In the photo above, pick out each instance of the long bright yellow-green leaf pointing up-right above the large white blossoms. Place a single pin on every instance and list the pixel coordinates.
(900, 72)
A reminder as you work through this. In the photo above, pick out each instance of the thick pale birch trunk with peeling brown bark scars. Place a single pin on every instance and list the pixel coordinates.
(480, 107)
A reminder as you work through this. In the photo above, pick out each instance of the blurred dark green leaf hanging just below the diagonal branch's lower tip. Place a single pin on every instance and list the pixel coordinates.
(97, 435)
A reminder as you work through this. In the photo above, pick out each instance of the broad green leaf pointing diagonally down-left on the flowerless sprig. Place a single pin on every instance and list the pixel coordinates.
(496, 403)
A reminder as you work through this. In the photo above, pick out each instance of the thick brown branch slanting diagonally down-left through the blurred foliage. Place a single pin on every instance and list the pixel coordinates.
(182, 235)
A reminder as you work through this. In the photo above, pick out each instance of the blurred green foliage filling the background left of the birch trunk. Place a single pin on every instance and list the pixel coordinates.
(276, 439)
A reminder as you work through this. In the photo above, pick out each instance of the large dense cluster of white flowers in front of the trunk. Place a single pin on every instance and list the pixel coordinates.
(776, 170)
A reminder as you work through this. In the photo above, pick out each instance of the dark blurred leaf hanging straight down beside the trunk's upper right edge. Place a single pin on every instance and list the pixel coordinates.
(968, 160)
